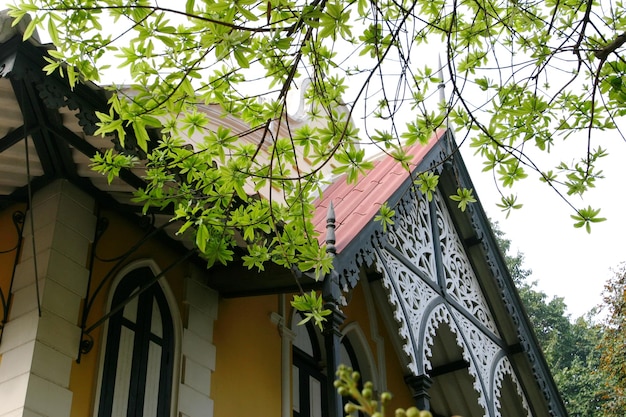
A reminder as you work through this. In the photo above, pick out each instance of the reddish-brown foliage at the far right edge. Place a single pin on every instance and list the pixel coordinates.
(613, 344)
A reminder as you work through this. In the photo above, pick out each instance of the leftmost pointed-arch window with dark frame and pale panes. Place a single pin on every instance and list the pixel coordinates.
(139, 355)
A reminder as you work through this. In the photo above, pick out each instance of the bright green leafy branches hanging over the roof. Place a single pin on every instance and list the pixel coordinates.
(368, 84)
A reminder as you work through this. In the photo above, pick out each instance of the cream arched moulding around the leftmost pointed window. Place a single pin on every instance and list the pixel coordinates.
(176, 332)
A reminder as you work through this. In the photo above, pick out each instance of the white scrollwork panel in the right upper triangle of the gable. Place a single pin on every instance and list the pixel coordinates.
(460, 279)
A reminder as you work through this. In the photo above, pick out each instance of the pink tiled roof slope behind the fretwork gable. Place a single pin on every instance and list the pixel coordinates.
(358, 203)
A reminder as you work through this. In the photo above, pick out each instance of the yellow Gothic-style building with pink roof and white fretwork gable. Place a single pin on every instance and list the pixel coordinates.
(106, 313)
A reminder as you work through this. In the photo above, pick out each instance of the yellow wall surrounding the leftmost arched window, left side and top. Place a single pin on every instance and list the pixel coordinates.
(120, 236)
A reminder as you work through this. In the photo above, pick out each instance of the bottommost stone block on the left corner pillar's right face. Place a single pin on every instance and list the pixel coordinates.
(48, 398)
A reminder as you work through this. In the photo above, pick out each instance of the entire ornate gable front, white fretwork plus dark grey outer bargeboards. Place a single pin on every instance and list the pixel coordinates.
(416, 273)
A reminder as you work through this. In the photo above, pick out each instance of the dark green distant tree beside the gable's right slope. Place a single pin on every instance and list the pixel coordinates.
(570, 348)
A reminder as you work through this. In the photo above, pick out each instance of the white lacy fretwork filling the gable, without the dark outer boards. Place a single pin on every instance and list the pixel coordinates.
(430, 284)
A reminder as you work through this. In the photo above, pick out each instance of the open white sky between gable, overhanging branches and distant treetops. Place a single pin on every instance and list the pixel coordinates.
(566, 262)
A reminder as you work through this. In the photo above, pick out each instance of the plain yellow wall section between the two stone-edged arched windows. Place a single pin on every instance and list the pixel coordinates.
(247, 378)
